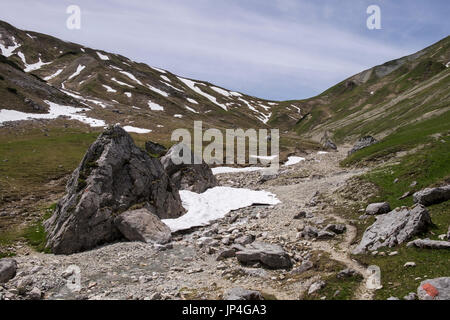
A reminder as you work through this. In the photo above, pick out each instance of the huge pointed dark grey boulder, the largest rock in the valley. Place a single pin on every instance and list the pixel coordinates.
(113, 176)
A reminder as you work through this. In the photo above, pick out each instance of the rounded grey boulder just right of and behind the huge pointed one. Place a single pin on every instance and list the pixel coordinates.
(193, 174)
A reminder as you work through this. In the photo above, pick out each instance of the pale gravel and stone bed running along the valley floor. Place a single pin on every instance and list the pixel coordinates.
(188, 267)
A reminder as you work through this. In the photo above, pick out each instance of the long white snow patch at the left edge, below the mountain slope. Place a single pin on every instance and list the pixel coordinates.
(55, 111)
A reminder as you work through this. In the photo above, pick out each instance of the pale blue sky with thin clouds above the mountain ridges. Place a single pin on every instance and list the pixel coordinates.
(273, 49)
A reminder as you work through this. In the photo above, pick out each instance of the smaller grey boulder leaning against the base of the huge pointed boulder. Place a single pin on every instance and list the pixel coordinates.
(142, 225)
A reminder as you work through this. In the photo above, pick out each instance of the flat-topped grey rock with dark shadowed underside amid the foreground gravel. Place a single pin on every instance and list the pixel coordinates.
(270, 255)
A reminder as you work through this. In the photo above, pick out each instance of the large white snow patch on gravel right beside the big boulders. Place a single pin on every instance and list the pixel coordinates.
(214, 204)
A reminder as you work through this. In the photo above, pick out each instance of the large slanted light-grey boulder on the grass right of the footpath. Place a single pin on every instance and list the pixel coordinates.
(394, 228)
